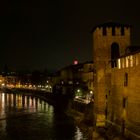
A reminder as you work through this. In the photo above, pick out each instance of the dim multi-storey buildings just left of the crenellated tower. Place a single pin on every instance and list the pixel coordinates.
(72, 77)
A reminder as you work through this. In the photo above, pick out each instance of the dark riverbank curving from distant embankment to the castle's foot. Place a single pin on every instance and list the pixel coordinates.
(82, 118)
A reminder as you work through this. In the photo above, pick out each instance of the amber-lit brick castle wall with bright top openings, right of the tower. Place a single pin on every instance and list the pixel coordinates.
(124, 99)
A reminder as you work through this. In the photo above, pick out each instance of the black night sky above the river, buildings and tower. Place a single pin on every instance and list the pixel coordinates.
(50, 34)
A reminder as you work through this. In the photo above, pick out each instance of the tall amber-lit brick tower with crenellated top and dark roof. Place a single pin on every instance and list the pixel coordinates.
(110, 41)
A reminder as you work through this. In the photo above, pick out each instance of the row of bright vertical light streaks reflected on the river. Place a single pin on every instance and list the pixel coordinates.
(18, 101)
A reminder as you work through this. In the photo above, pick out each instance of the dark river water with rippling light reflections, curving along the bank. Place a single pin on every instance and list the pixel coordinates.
(30, 118)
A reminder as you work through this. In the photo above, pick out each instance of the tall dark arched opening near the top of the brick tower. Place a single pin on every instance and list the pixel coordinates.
(115, 53)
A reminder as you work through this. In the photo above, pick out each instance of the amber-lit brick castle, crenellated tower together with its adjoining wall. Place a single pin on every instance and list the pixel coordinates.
(117, 78)
